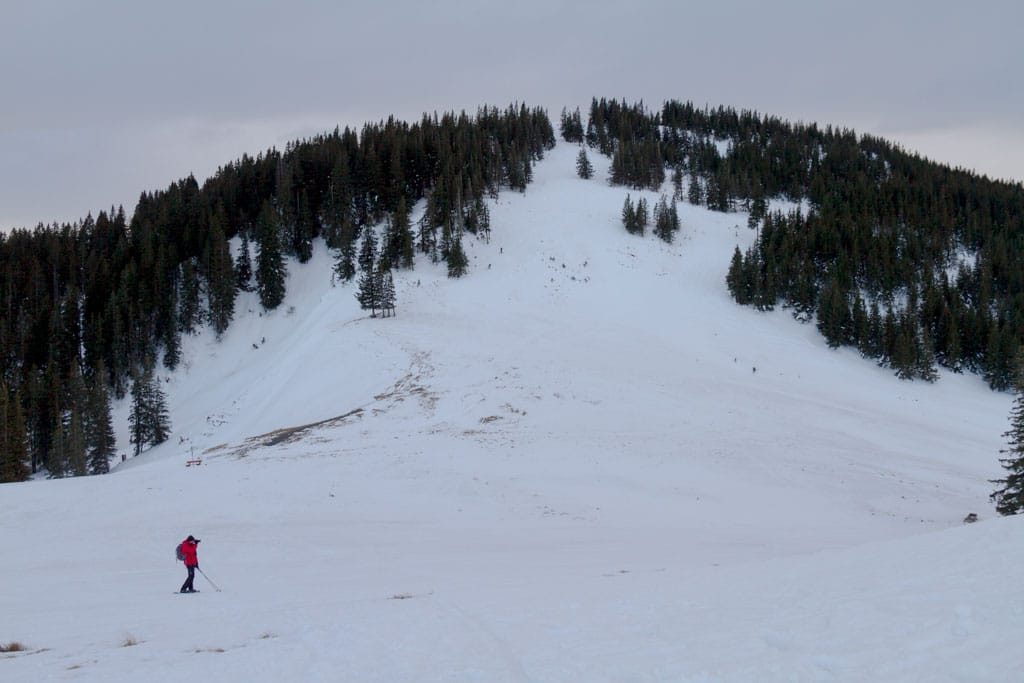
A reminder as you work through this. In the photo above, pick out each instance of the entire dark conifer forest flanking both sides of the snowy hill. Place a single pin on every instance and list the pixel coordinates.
(916, 265)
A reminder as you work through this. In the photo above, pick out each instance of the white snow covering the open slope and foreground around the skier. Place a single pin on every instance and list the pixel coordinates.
(582, 462)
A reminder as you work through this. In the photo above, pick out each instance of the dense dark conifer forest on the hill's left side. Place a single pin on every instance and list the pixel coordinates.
(96, 307)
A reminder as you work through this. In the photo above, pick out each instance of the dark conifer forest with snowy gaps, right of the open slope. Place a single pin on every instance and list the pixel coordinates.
(916, 265)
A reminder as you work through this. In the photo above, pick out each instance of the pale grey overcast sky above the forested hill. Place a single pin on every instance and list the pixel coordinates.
(102, 100)
